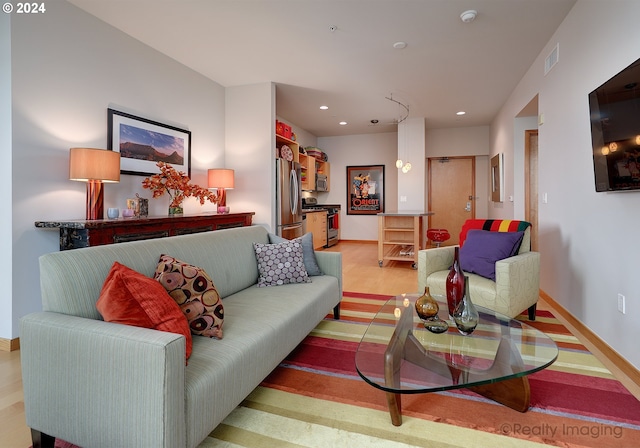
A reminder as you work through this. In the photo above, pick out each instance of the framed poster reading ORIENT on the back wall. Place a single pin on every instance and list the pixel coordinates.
(365, 189)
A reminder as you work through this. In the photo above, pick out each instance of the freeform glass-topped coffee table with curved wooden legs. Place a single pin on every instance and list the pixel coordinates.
(399, 355)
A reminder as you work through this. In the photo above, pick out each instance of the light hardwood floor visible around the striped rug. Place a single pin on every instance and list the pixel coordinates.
(361, 273)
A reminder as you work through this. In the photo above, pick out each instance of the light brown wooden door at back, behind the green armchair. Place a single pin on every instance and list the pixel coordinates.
(451, 194)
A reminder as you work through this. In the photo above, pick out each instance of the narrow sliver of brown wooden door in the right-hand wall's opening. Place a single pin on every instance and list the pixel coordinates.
(531, 184)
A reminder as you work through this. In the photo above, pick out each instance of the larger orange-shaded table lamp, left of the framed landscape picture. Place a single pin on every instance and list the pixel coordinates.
(94, 166)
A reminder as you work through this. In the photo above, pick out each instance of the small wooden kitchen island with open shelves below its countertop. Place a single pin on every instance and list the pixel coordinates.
(400, 236)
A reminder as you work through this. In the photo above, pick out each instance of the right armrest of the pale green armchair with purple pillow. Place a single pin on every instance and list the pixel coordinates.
(518, 282)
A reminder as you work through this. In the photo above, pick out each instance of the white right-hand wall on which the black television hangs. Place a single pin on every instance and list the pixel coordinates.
(587, 239)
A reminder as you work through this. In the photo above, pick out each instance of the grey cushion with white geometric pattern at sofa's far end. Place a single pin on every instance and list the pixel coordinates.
(281, 263)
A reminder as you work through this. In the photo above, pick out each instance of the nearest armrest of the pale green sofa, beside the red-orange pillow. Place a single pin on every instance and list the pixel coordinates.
(95, 383)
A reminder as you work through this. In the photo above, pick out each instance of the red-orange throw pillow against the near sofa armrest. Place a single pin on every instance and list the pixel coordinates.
(130, 298)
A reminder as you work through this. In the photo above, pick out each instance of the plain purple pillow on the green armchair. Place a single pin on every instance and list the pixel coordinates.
(483, 248)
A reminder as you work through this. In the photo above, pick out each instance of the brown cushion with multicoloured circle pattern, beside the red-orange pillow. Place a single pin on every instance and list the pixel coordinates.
(193, 290)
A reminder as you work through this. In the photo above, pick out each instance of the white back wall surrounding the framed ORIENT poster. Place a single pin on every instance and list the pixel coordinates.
(374, 149)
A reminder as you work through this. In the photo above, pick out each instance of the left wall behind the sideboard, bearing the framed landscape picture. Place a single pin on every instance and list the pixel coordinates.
(67, 68)
